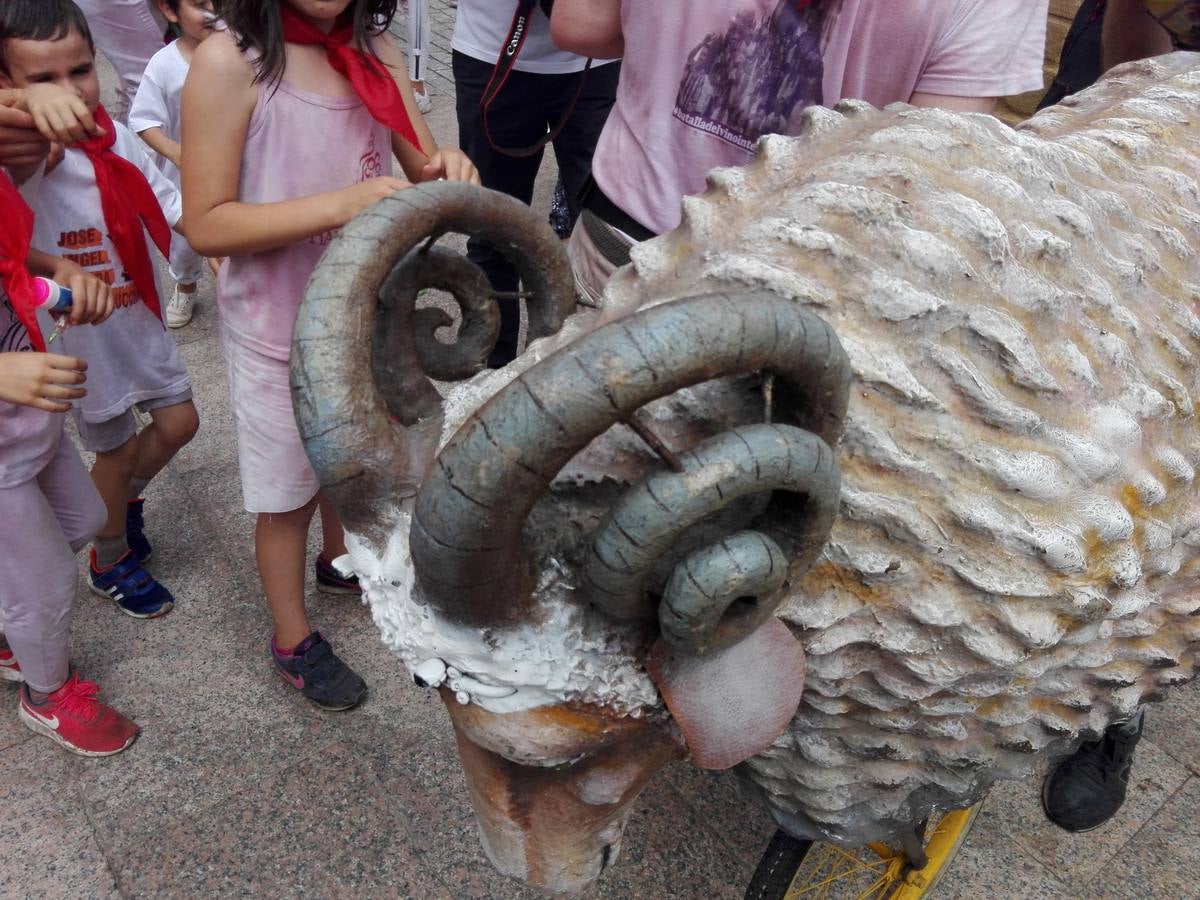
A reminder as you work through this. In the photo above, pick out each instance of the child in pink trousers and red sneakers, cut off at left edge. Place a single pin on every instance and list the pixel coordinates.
(50, 507)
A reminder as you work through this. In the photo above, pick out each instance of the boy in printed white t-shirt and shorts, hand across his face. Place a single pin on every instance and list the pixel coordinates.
(94, 207)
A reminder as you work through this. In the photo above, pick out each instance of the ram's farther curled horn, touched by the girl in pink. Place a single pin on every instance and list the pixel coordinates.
(351, 375)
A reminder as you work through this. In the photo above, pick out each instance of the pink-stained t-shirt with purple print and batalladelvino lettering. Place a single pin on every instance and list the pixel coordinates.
(704, 80)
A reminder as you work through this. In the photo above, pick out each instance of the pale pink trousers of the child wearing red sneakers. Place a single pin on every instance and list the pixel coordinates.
(58, 513)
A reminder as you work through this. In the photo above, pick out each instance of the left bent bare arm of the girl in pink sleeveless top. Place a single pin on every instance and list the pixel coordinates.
(219, 100)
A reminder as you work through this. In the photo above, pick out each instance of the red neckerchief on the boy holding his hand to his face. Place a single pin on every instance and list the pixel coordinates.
(129, 203)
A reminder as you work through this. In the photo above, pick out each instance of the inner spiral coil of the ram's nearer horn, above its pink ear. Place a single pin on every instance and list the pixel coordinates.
(718, 593)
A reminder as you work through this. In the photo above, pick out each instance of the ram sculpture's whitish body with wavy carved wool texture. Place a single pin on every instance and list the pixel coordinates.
(1016, 561)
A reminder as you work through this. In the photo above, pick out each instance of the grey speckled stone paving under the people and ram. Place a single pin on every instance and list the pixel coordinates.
(238, 788)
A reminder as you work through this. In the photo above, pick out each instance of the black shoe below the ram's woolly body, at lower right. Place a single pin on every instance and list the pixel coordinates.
(1089, 787)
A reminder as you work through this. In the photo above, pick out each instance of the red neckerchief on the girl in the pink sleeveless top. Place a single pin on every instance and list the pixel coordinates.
(368, 76)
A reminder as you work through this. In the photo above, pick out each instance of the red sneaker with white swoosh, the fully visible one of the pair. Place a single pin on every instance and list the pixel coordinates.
(77, 721)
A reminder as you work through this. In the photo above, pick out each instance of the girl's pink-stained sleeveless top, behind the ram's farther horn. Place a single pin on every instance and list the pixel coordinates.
(298, 145)
